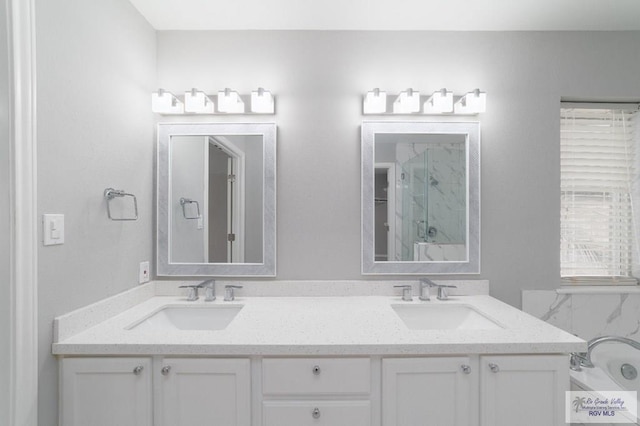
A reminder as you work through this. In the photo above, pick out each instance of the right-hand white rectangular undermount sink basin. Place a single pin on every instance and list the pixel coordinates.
(444, 317)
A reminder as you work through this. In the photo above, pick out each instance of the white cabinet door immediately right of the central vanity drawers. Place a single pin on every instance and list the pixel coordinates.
(429, 392)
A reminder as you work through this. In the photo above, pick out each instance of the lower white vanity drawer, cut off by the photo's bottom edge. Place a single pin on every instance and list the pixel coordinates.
(317, 413)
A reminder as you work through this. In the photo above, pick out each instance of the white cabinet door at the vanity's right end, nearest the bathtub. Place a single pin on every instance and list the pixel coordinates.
(527, 390)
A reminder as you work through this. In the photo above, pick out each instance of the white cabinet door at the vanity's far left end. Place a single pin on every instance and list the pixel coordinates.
(106, 392)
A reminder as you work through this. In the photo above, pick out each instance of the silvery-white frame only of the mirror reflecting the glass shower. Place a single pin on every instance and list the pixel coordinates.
(370, 266)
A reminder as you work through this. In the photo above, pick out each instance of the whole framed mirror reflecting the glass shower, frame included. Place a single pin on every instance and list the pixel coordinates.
(420, 198)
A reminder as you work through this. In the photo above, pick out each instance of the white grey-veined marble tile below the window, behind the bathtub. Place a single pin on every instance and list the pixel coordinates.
(588, 313)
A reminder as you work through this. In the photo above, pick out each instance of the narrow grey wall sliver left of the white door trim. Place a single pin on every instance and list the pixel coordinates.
(5, 223)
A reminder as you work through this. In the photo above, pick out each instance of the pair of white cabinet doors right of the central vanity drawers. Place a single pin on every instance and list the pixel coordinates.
(490, 390)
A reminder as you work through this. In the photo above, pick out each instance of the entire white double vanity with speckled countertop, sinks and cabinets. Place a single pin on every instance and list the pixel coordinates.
(367, 357)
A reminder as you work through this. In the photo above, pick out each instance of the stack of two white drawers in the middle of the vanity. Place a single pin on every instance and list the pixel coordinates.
(316, 392)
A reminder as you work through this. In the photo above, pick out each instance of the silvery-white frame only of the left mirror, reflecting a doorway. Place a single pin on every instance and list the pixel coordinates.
(163, 238)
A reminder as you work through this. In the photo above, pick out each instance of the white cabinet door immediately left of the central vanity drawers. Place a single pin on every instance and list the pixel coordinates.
(205, 392)
